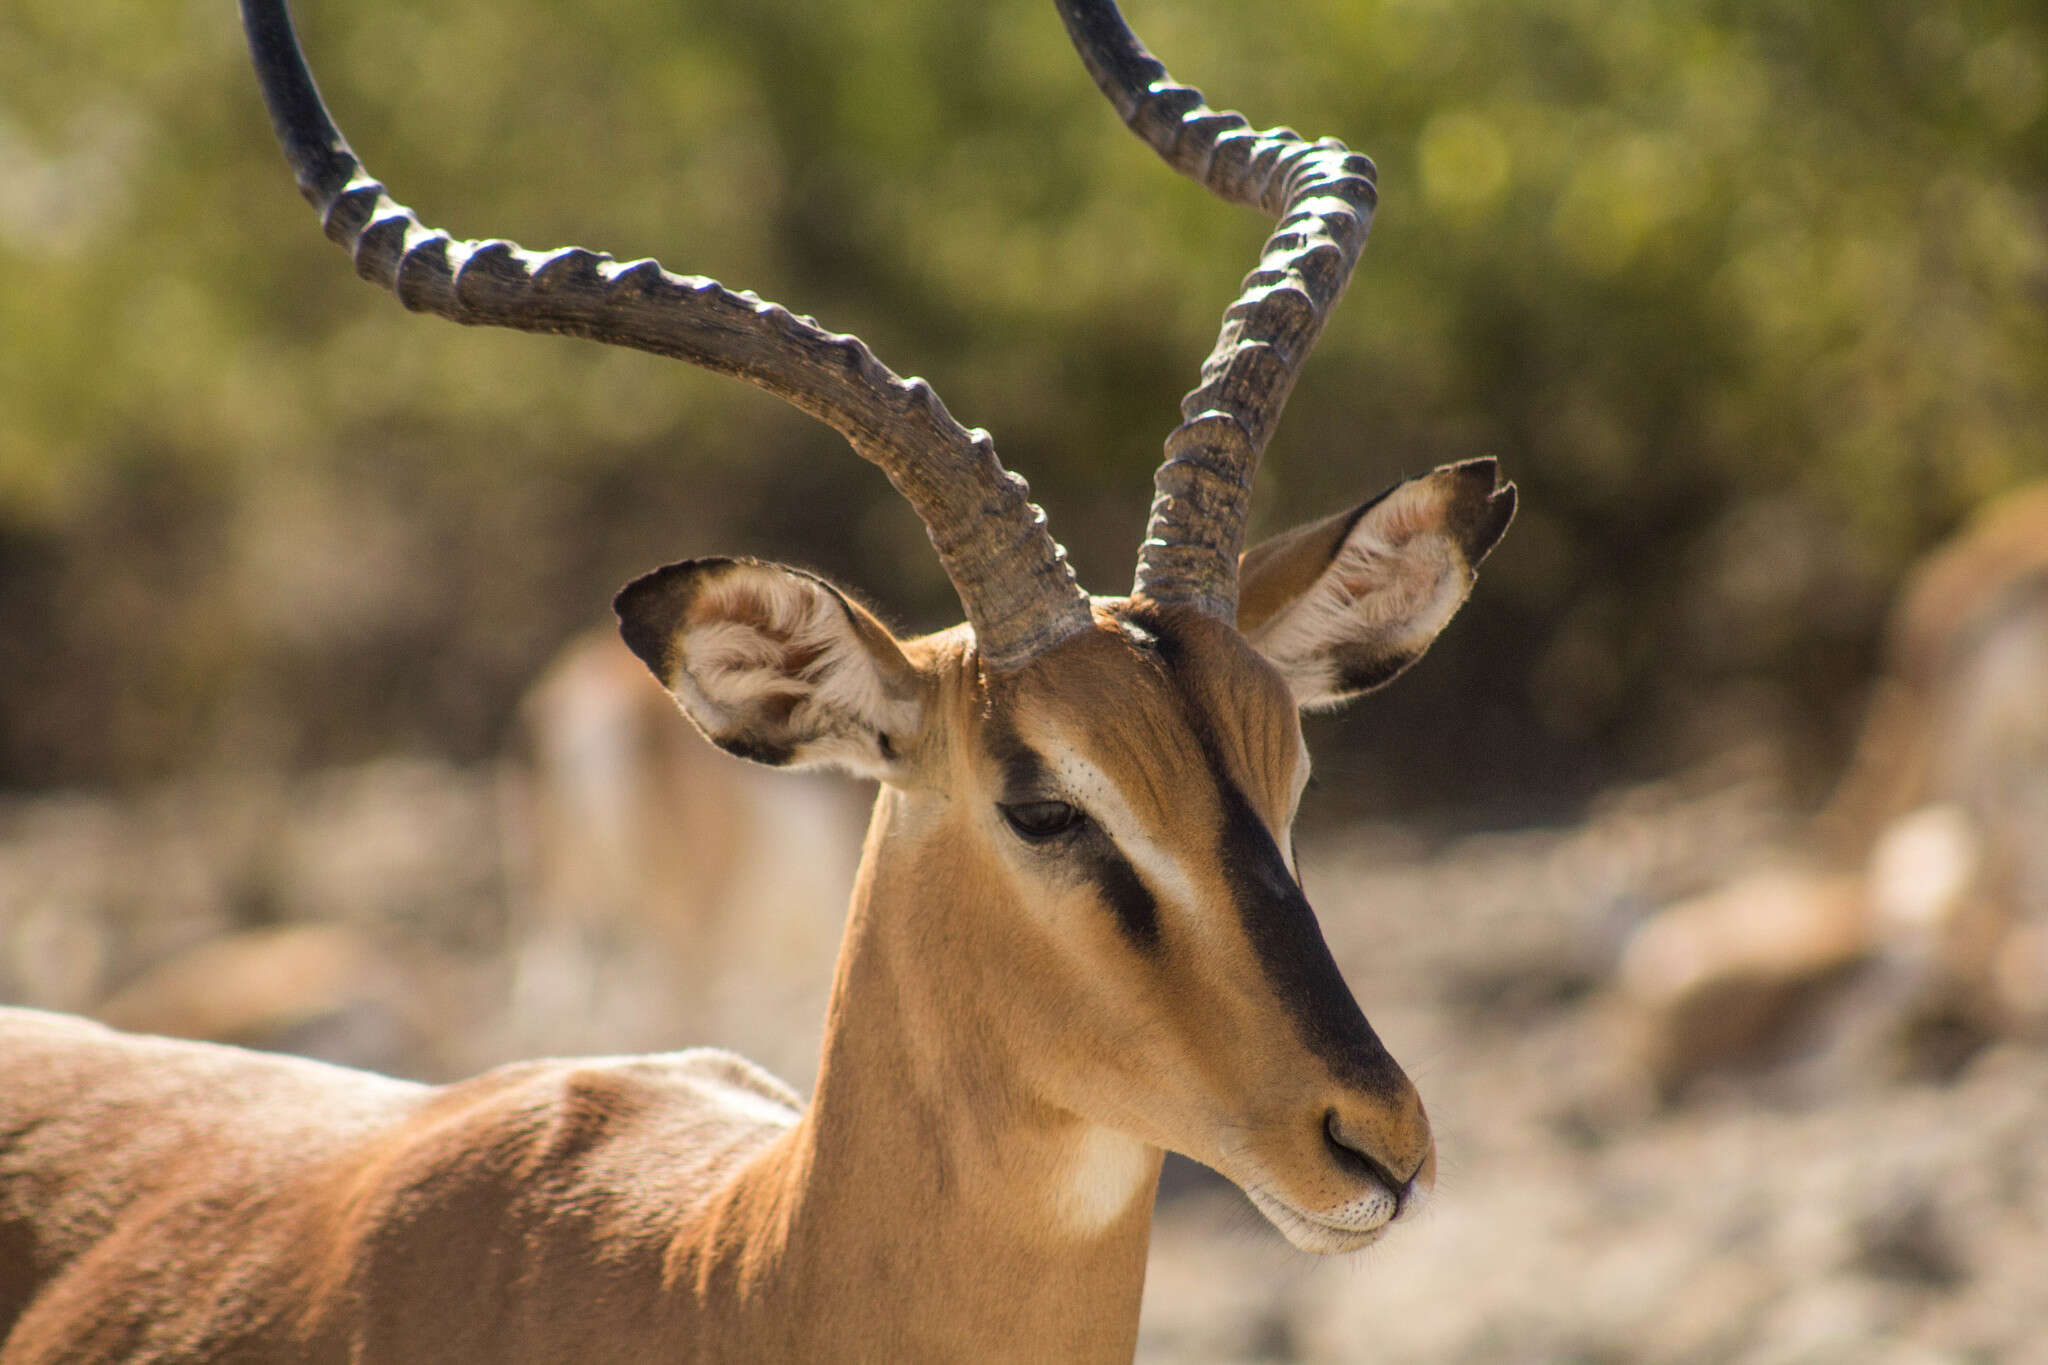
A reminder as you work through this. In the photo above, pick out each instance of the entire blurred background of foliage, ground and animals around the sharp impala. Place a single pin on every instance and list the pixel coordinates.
(1697, 871)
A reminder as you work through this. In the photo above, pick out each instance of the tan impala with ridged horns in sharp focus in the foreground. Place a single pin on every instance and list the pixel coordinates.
(1076, 938)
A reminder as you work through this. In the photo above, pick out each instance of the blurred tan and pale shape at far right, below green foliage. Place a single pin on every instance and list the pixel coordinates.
(1930, 861)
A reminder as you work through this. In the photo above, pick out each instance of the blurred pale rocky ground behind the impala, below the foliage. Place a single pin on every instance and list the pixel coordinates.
(1836, 1202)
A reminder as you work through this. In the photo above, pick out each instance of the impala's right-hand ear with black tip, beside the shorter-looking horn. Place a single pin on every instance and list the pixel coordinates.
(1345, 605)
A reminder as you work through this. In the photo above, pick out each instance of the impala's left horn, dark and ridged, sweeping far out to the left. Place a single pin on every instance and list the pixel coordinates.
(1011, 574)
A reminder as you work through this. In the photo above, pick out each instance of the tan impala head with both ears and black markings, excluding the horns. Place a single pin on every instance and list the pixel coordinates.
(1105, 826)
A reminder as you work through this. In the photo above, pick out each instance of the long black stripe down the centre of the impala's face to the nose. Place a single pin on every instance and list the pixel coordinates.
(1279, 922)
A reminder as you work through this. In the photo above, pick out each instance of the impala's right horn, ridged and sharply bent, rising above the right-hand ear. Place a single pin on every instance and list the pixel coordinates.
(1324, 197)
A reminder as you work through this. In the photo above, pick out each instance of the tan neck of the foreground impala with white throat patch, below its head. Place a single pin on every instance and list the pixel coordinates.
(939, 1206)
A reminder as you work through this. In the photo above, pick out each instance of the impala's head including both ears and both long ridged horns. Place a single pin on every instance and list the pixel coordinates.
(1091, 797)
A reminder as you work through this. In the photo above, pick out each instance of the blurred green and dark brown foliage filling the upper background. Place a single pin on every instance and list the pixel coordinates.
(1750, 298)
